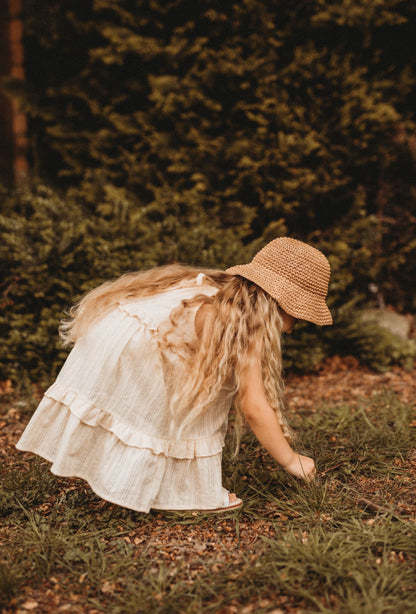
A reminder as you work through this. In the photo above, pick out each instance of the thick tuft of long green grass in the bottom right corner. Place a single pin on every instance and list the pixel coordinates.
(353, 569)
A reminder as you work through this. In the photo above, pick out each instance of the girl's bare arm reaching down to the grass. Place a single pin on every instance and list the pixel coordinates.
(265, 425)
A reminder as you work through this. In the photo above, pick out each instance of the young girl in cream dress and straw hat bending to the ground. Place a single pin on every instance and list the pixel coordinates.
(140, 407)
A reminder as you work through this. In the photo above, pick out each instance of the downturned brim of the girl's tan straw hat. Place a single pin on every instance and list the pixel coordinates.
(296, 301)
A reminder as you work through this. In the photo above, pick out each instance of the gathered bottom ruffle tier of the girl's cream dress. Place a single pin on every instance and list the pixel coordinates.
(134, 478)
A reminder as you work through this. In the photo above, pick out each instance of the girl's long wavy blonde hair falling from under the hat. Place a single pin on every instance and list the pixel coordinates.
(243, 320)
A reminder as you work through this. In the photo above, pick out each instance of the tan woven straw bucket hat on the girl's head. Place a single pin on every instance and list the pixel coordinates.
(293, 273)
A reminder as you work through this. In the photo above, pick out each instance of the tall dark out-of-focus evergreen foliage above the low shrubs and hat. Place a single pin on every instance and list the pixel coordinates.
(276, 118)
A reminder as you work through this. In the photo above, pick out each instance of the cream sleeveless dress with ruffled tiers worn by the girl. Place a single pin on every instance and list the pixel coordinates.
(106, 418)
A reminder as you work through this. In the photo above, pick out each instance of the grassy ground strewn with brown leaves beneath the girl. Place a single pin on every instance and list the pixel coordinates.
(345, 544)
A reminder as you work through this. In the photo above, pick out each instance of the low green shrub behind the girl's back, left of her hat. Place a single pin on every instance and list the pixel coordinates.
(53, 250)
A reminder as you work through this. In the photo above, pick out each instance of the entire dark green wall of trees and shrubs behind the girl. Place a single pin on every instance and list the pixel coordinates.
(171, 130)
